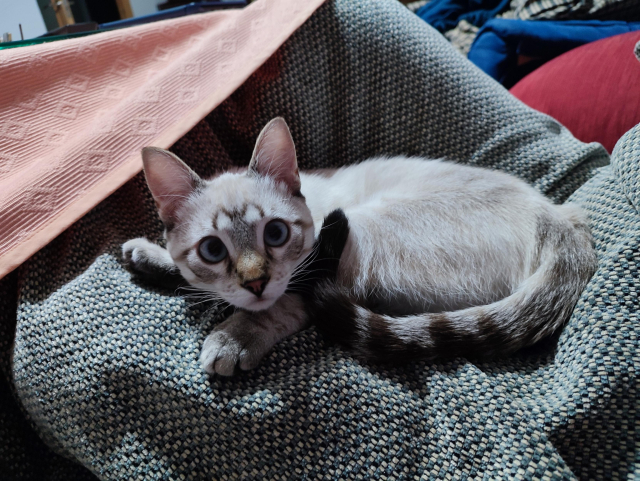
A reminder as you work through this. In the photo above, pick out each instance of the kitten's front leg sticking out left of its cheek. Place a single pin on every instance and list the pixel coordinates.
(151, 262)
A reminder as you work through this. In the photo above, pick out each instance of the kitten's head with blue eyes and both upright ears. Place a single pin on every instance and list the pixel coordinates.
(240, 235)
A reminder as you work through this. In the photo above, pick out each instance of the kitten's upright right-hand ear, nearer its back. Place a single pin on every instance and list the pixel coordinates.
(275, 155)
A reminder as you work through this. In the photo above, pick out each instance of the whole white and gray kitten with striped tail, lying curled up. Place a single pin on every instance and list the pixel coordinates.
(441, 259)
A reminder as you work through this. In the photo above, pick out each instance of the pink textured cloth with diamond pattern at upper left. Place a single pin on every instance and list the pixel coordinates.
(75, 113)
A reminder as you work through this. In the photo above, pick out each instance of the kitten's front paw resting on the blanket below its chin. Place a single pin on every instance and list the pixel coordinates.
(236, 343)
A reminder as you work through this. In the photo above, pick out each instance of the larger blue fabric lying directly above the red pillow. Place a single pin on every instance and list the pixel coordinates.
(500, 42)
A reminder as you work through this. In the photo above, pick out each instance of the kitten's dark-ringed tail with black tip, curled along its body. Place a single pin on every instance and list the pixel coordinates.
(537, 308)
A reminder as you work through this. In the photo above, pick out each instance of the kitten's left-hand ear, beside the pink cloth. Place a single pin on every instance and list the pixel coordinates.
(170, 180)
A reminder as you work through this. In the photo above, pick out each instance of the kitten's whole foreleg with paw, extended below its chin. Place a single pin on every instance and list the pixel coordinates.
(244, 338)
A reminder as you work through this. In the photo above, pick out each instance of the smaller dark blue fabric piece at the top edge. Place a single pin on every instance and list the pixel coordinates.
(444, 15)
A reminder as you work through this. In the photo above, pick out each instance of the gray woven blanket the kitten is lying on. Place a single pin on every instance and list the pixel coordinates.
(107, 369)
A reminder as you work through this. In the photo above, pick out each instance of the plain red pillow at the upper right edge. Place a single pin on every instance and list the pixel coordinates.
(593, 90)
